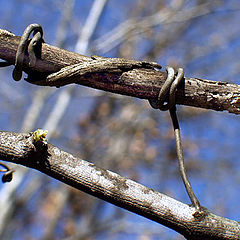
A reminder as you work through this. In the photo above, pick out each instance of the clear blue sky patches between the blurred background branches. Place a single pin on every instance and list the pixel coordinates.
(208, 48)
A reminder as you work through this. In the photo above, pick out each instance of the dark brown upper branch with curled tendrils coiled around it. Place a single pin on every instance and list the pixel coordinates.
(139, 81)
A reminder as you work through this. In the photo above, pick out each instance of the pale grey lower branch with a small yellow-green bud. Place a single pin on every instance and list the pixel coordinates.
(22, 149)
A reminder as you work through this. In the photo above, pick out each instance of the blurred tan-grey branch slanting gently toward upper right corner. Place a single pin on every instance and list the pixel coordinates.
(133, 27)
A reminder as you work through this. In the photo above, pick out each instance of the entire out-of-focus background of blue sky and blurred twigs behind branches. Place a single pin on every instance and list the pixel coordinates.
(117, 132)
